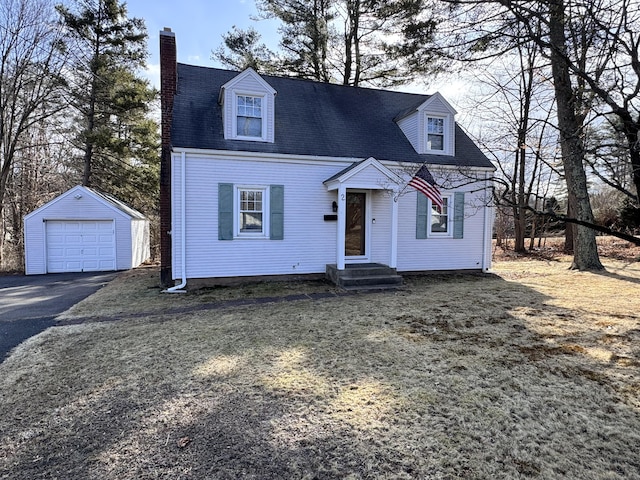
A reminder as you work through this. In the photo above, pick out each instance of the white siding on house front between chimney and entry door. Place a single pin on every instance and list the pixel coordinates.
(308, 244)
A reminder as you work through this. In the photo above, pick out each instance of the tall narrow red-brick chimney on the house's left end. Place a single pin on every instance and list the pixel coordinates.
(168, 88)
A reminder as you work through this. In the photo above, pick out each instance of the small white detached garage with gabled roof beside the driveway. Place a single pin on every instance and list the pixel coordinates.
(84, 230)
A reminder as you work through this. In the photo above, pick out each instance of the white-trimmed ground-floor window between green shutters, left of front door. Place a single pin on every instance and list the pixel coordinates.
(252, 212)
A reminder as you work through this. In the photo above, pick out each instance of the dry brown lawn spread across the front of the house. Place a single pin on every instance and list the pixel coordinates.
(533, 372)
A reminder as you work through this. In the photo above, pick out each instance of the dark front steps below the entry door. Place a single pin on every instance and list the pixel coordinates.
(364, 276)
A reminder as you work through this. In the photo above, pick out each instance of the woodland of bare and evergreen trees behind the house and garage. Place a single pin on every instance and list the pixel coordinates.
(553, 87)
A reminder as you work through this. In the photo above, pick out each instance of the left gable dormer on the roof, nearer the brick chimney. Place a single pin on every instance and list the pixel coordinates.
(248, 106)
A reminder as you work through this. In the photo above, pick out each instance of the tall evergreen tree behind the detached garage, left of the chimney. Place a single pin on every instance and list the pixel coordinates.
(117, 140)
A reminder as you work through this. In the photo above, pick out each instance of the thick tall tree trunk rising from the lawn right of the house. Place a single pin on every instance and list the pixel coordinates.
(585, 255)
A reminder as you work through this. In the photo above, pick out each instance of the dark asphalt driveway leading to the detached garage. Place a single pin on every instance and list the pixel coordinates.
(29, 304)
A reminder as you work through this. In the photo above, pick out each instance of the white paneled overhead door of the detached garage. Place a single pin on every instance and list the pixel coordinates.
(80, 246)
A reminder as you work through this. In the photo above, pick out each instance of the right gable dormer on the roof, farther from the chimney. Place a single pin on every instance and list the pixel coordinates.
(430, 126)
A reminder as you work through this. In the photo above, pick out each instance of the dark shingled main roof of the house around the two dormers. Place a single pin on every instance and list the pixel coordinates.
(311, 118)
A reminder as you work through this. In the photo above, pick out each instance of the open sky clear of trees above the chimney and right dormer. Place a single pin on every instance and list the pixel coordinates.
(199, 25)
